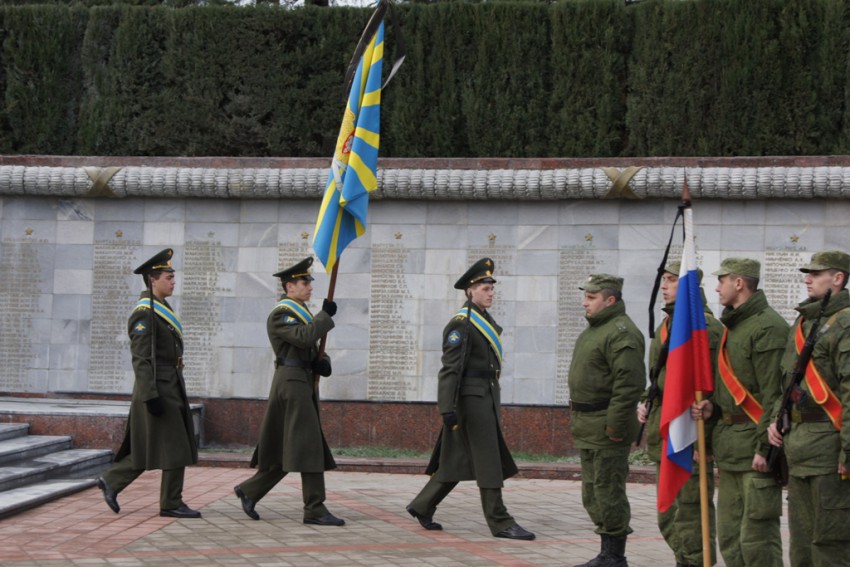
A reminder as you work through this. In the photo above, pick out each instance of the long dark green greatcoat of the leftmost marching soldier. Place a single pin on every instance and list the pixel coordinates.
(166, 441)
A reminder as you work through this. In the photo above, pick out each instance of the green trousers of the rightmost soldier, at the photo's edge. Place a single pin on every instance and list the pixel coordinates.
(819, 520)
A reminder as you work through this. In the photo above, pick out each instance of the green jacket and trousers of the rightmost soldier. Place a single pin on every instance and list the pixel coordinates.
(818, 500)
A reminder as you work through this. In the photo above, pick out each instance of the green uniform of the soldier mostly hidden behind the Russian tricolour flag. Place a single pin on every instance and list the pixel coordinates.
(681, 523)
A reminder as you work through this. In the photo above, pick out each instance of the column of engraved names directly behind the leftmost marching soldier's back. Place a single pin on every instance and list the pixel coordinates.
(112, 303)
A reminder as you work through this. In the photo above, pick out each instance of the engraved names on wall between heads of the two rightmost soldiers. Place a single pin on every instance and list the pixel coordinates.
(782, 280)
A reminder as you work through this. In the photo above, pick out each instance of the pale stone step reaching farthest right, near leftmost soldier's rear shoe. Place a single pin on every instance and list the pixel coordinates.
(70, 463)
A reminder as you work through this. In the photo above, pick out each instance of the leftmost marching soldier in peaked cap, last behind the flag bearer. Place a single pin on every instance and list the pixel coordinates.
(159, 432)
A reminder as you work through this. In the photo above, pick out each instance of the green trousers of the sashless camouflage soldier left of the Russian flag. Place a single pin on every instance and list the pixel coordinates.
(603, 489)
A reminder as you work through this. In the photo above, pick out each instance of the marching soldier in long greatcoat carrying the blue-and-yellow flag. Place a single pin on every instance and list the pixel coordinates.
(291, 438)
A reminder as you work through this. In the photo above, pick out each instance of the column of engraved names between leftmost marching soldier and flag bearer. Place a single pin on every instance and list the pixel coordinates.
(200, 306)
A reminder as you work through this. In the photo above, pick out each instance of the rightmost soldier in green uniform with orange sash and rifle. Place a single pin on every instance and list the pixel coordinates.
(818, 445)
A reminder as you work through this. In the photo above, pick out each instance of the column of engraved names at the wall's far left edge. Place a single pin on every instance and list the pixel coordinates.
(20, 286)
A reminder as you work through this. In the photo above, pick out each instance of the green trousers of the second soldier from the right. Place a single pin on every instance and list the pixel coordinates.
(749, 505)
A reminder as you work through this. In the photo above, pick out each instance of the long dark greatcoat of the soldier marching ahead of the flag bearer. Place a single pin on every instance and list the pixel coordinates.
(476, 450)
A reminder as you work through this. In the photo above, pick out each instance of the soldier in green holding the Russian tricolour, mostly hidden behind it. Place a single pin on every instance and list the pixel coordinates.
(681, 523)
